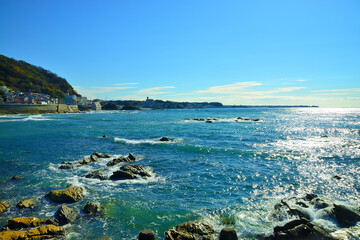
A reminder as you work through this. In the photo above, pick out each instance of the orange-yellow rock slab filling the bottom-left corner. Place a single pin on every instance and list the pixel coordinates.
(43, 232)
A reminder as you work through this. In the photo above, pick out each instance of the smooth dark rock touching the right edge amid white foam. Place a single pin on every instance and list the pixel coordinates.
(345, 216)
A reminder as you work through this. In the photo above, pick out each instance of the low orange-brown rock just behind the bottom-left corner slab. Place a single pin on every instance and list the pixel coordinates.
(29, 222)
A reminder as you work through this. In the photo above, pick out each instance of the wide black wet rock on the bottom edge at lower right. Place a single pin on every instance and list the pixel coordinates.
(300, 229)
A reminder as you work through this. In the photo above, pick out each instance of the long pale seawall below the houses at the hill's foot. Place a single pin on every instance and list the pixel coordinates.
(6, 109)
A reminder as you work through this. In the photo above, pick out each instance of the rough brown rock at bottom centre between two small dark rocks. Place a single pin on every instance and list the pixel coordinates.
(191, 231)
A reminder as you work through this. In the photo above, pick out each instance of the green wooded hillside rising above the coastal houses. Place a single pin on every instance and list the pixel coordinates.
(24, 77)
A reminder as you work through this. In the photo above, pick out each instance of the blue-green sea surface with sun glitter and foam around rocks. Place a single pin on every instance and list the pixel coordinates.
(226, 172)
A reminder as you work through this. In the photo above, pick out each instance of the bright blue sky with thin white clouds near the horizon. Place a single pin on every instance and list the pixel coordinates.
(242, 52)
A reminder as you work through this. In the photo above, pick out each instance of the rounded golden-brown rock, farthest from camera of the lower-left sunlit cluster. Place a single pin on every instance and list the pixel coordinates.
(68, 195)
